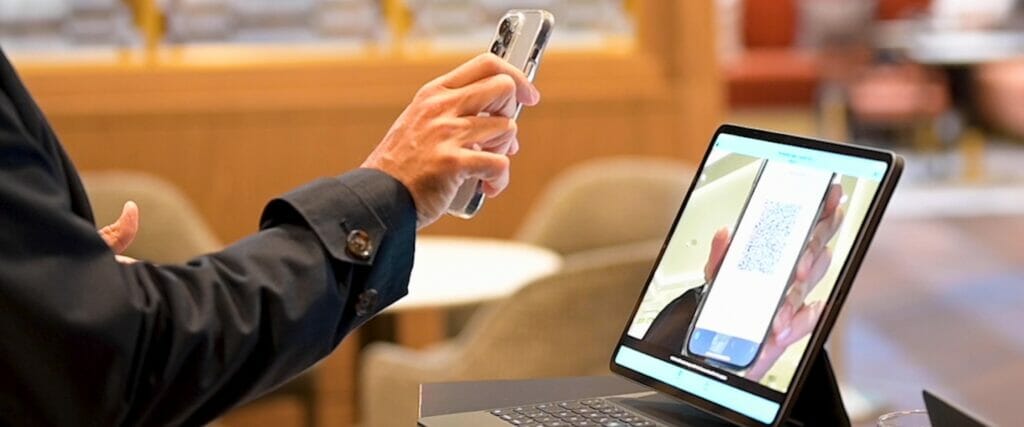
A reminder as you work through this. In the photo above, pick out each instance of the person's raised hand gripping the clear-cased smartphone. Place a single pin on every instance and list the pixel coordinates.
(442, 140)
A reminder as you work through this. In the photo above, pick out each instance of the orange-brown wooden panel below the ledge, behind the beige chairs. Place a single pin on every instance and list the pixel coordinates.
(232, 164)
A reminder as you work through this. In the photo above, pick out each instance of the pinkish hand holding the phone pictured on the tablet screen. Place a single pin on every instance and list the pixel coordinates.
(795, 320)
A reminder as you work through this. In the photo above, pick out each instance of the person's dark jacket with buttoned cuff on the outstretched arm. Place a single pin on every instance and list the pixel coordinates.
(90, 341)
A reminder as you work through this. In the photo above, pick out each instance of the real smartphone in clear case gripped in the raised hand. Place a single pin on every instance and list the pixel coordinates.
(521, 39)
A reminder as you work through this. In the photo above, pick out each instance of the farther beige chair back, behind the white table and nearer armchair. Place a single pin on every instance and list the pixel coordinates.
(608, 202)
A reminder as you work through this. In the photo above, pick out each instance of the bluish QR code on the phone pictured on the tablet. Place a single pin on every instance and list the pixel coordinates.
(769, 241)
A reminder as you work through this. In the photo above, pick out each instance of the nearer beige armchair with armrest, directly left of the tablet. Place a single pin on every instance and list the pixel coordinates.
(563, 325)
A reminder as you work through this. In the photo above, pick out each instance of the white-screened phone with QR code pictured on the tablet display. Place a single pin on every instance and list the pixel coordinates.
(736, 315)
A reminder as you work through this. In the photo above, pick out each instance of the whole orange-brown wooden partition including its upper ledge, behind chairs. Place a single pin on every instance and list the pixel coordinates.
(233, 139)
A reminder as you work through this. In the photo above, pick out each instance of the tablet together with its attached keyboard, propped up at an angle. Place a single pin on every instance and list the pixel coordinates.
(745, 291)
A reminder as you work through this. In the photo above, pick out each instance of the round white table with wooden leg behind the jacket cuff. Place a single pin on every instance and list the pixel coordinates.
(452, 272)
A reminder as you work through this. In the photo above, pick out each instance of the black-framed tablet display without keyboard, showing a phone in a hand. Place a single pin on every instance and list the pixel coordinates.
(750, 267)
